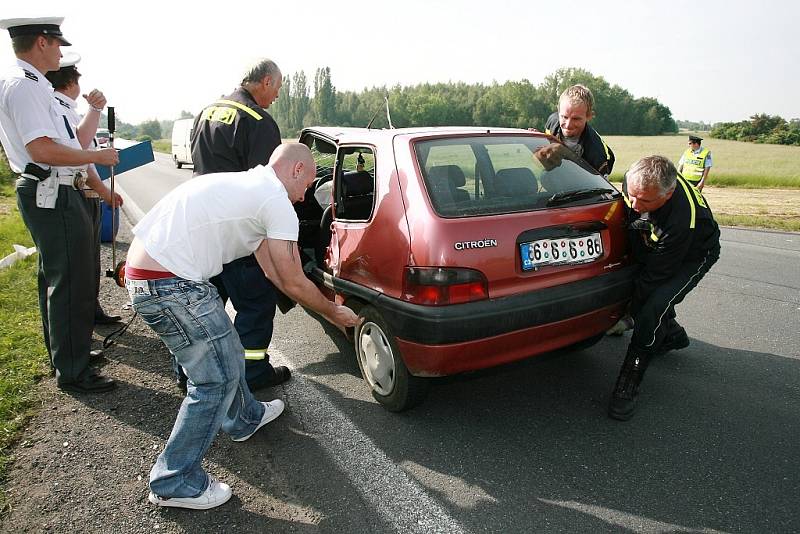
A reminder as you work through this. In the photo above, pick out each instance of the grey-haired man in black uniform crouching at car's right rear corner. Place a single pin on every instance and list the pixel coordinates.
(676, 240)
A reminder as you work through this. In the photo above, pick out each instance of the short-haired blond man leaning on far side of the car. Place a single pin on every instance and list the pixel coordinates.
(570, 126)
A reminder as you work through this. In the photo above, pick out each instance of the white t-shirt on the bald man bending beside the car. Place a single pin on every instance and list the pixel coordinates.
(214, 219)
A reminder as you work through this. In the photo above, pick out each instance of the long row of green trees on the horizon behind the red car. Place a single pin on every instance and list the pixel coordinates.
(521, 104)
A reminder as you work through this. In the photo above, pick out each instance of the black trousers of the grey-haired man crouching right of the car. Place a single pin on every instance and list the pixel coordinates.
(654, 319)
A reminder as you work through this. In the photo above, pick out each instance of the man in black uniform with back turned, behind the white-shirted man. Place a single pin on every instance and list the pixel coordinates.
(235, 134)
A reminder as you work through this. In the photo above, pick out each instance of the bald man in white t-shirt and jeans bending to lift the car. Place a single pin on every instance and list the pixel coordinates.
(179, 245)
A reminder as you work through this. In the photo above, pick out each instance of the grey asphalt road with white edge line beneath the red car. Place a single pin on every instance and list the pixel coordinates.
(528, 447)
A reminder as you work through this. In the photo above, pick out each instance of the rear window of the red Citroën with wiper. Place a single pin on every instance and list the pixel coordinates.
(487, 175)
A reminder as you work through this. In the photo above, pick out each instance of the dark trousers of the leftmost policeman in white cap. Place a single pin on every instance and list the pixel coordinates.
(63, 237)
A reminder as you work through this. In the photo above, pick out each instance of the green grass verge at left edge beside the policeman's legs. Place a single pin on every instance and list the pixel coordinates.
(23, 360)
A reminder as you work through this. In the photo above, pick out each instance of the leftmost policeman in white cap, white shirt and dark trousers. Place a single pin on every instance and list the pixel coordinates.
(43, 149)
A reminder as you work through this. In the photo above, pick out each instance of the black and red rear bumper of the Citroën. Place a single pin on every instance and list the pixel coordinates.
(439, 340)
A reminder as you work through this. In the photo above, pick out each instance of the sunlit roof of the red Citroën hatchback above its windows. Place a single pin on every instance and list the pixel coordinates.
(345, 135)
